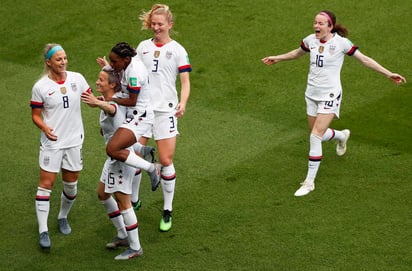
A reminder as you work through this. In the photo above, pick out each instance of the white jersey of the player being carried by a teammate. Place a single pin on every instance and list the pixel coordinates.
(135, 80)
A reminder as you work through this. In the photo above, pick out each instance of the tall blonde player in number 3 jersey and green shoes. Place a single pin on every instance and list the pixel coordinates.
(165, 59)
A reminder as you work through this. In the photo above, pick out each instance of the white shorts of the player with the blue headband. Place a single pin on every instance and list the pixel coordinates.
(52, 160)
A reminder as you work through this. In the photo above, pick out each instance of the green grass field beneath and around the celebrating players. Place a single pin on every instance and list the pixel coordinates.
(243, 145)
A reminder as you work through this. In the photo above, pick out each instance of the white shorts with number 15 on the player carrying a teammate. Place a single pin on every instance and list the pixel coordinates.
(117, 177)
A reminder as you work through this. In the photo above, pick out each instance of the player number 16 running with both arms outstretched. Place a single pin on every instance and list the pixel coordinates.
(327, 48)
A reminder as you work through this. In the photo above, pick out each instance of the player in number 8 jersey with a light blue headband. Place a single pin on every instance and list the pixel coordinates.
(55, 104)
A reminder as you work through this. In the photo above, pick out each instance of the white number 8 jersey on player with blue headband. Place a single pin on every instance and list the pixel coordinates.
(61, 109)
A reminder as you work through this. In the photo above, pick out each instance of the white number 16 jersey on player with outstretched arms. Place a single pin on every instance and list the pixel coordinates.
(326, 60)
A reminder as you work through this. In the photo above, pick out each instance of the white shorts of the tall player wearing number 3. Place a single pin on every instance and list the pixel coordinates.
(164, 126)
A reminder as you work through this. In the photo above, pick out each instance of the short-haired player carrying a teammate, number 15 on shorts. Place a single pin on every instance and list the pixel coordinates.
(116, 177)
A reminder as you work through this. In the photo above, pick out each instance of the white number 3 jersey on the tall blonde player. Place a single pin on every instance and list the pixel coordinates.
(163, 63)
